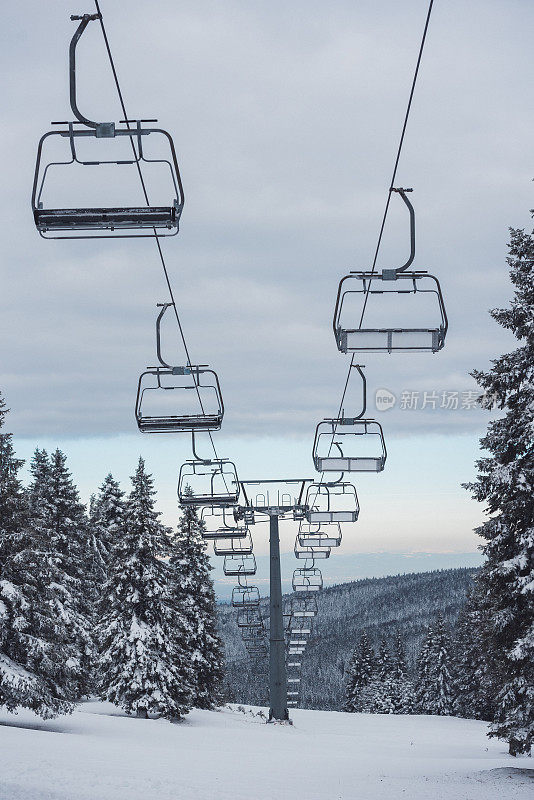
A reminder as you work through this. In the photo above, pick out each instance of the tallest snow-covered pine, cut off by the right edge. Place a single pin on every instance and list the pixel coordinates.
(505, 482)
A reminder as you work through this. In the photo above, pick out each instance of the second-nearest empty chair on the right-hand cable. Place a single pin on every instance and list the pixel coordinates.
(350, 444)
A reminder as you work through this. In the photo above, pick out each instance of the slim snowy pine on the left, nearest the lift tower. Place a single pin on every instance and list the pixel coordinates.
(196, 599)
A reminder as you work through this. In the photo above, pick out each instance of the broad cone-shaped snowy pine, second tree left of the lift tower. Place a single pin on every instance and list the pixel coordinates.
(144, 664)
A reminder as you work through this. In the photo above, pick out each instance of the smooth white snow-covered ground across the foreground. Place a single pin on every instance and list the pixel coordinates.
(101, 754)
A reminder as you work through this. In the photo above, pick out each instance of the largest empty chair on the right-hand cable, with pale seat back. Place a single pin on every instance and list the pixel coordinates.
(407, 307)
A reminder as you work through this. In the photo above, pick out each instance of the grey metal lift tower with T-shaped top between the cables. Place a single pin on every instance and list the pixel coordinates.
(277, 500)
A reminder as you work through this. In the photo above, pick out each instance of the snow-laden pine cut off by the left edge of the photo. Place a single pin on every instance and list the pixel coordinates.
(34, 644)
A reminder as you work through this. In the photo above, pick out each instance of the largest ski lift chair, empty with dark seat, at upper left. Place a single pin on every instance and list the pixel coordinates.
(104, 138)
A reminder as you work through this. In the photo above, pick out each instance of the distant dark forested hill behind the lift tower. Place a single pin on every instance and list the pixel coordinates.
(380, 605)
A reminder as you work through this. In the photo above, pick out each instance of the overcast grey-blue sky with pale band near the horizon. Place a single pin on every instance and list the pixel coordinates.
(286, 118)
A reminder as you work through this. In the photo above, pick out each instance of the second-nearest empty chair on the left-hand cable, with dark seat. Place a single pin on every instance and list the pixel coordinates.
(174, 399)
